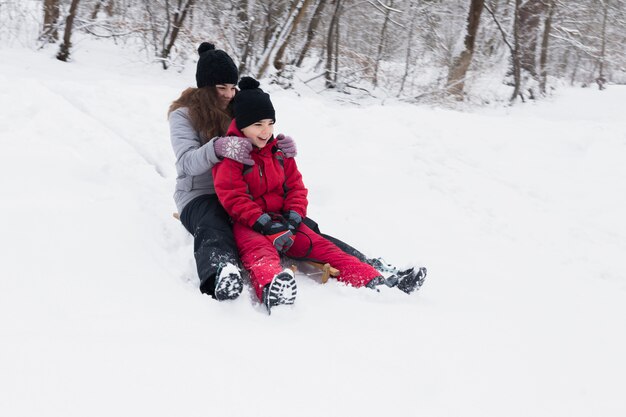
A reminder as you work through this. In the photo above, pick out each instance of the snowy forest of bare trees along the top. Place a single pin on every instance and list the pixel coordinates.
(471, 51)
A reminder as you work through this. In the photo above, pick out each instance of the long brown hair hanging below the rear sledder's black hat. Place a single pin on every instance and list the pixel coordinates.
(206, 116)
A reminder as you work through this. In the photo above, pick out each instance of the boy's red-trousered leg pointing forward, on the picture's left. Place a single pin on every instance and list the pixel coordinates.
(258, 256)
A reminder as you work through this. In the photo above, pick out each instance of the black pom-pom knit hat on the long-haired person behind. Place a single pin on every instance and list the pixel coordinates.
(215, 67)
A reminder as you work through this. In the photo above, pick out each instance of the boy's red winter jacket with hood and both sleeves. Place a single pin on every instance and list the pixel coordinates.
(272, 185)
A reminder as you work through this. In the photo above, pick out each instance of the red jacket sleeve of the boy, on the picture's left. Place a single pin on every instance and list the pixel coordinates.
(232, 192)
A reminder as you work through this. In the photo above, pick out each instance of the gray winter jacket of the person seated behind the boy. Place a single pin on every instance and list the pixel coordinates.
(194, 161)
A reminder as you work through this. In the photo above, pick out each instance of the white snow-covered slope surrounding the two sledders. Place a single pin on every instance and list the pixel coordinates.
(518, 214)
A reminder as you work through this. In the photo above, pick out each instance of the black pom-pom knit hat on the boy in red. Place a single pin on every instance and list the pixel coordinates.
(251, 104)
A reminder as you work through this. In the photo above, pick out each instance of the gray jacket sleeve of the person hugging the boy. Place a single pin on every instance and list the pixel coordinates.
(192, 158)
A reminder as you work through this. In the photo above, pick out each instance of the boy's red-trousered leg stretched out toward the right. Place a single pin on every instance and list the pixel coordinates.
(351, 270)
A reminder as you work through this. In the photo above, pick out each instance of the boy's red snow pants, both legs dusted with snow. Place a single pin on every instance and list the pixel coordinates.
(262, 260)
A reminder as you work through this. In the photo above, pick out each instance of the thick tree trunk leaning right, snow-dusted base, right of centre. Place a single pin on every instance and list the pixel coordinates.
(456, 77)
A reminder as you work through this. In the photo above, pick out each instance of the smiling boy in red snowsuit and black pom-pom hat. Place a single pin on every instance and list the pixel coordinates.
(267, 202)
